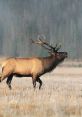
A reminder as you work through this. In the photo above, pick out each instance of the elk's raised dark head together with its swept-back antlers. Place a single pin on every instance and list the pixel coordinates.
(52, 50)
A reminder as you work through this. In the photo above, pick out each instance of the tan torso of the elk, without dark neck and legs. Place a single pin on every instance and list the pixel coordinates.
(22, 66)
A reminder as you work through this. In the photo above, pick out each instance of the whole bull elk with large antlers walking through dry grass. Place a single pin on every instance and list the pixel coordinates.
(34, 66)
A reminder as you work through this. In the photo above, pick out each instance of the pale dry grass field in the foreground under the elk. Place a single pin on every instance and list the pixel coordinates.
(60, 96)
